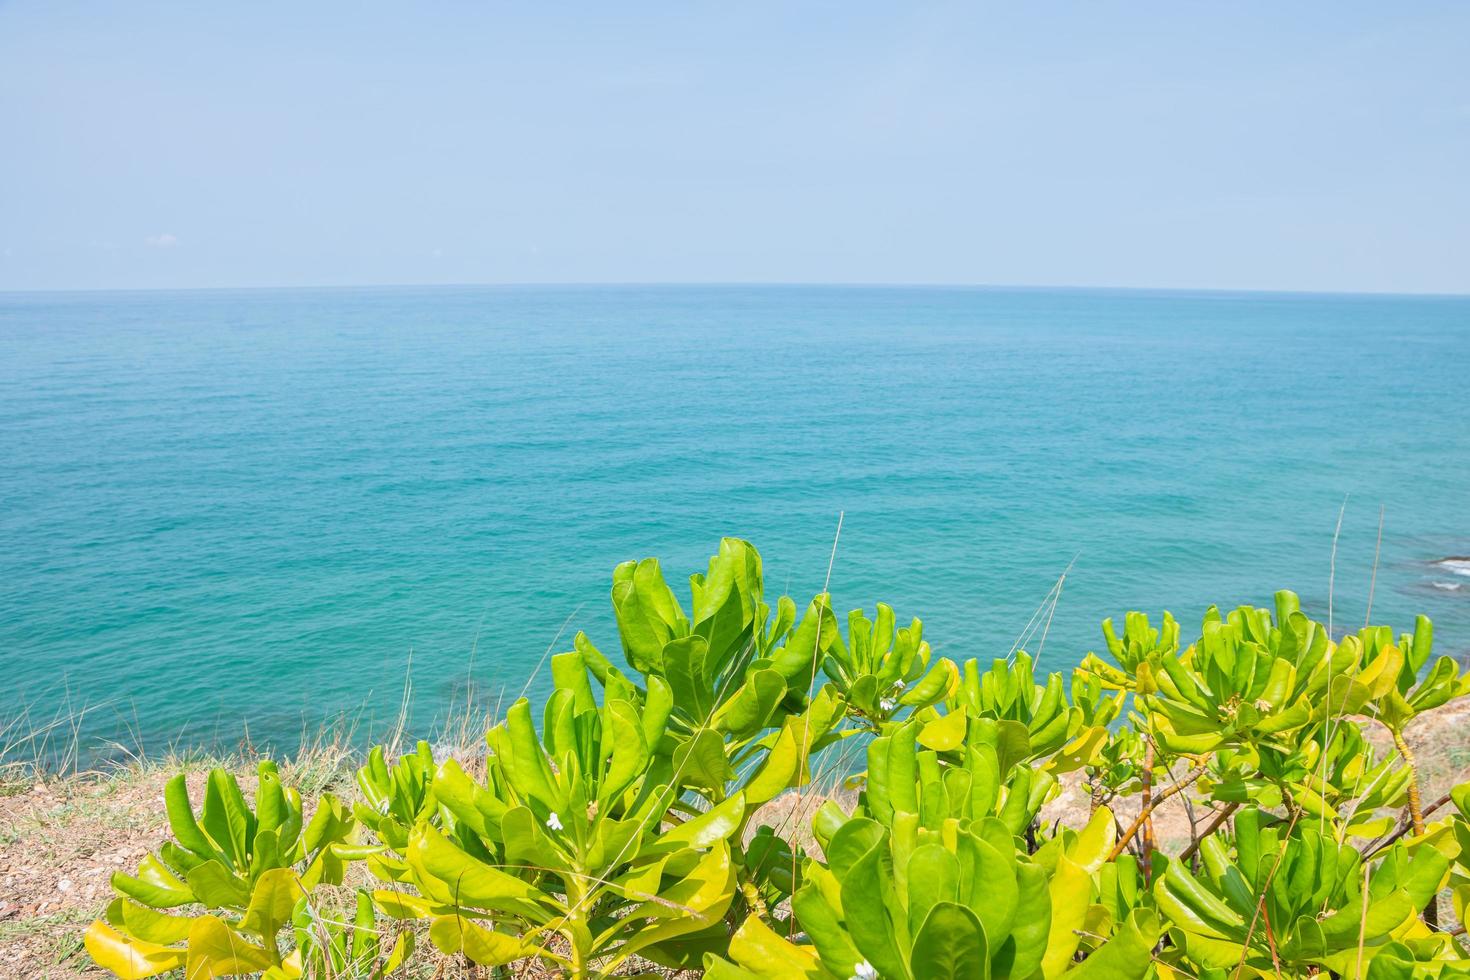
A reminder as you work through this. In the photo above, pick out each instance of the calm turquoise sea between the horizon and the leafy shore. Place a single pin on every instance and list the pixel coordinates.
(229, 512)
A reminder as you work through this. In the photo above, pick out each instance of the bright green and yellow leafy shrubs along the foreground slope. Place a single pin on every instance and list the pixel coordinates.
(624, 829)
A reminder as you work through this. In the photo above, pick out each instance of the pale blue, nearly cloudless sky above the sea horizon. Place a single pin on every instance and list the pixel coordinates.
(1244, 146)
